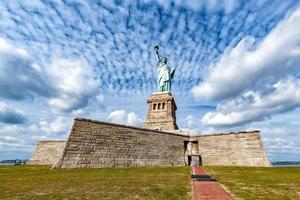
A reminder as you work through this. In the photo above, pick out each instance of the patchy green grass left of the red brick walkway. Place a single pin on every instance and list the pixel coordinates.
(40, 182)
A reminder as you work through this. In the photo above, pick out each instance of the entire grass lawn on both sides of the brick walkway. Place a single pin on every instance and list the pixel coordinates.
(41, 182)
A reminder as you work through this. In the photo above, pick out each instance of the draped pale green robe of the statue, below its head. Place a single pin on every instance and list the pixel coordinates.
(163, 77)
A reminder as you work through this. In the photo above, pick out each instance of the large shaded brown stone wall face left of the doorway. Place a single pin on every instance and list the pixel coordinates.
(100, 144)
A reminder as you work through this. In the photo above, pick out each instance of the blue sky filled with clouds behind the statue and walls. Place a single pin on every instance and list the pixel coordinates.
(237, 67)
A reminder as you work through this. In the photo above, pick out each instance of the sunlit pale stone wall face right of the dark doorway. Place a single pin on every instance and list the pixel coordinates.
(232, 149)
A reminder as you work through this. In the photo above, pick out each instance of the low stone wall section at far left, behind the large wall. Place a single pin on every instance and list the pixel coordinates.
(47, 152)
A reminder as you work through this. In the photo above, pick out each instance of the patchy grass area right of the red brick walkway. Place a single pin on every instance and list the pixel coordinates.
(254, 183)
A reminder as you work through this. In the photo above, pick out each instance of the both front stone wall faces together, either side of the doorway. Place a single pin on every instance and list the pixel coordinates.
(101, 144)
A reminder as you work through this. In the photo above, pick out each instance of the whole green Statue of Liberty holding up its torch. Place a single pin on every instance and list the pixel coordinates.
(164, 73)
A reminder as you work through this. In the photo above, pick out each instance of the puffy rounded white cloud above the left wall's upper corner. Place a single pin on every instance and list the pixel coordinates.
(73, 80)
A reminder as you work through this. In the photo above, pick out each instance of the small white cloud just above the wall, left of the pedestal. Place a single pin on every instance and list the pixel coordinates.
(122, 117)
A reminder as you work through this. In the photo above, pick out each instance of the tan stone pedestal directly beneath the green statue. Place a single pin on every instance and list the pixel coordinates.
(161, 112)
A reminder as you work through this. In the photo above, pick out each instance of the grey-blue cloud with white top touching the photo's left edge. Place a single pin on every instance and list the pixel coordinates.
(19, 78)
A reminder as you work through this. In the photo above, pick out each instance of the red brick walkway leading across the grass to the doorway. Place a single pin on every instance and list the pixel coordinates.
(207, 189)
